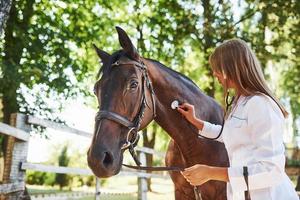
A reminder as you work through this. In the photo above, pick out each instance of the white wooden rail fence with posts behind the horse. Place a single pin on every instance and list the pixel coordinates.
(20, 128)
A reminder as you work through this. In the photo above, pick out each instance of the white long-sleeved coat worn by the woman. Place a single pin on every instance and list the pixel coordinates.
(253, 137)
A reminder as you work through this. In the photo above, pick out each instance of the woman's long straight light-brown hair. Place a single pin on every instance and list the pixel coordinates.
(236, 61)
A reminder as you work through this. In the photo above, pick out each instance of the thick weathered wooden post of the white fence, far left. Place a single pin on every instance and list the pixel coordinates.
(19, 155)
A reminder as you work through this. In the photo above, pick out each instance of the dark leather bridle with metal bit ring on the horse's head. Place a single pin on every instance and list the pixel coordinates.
(133, 126)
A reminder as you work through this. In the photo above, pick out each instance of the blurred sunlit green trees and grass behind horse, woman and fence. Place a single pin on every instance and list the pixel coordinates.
(48, 69)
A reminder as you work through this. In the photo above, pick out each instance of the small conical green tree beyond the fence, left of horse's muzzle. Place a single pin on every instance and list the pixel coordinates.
(63, 160)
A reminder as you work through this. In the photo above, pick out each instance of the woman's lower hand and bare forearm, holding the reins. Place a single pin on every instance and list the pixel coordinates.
(200, 174)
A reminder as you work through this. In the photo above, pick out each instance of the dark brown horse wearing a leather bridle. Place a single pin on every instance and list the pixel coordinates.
(120, 91)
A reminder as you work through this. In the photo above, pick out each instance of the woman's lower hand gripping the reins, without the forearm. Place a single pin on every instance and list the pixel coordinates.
(197, 174)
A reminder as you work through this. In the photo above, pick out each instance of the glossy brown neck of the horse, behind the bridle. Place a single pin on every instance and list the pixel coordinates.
(167, 88)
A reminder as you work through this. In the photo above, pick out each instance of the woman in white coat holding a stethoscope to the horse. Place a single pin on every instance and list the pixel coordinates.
(252, 132)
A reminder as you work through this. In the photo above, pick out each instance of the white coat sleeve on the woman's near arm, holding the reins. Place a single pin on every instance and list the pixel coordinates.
(266, 127)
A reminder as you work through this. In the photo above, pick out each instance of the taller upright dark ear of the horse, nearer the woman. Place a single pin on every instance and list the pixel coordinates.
(126, 44)
